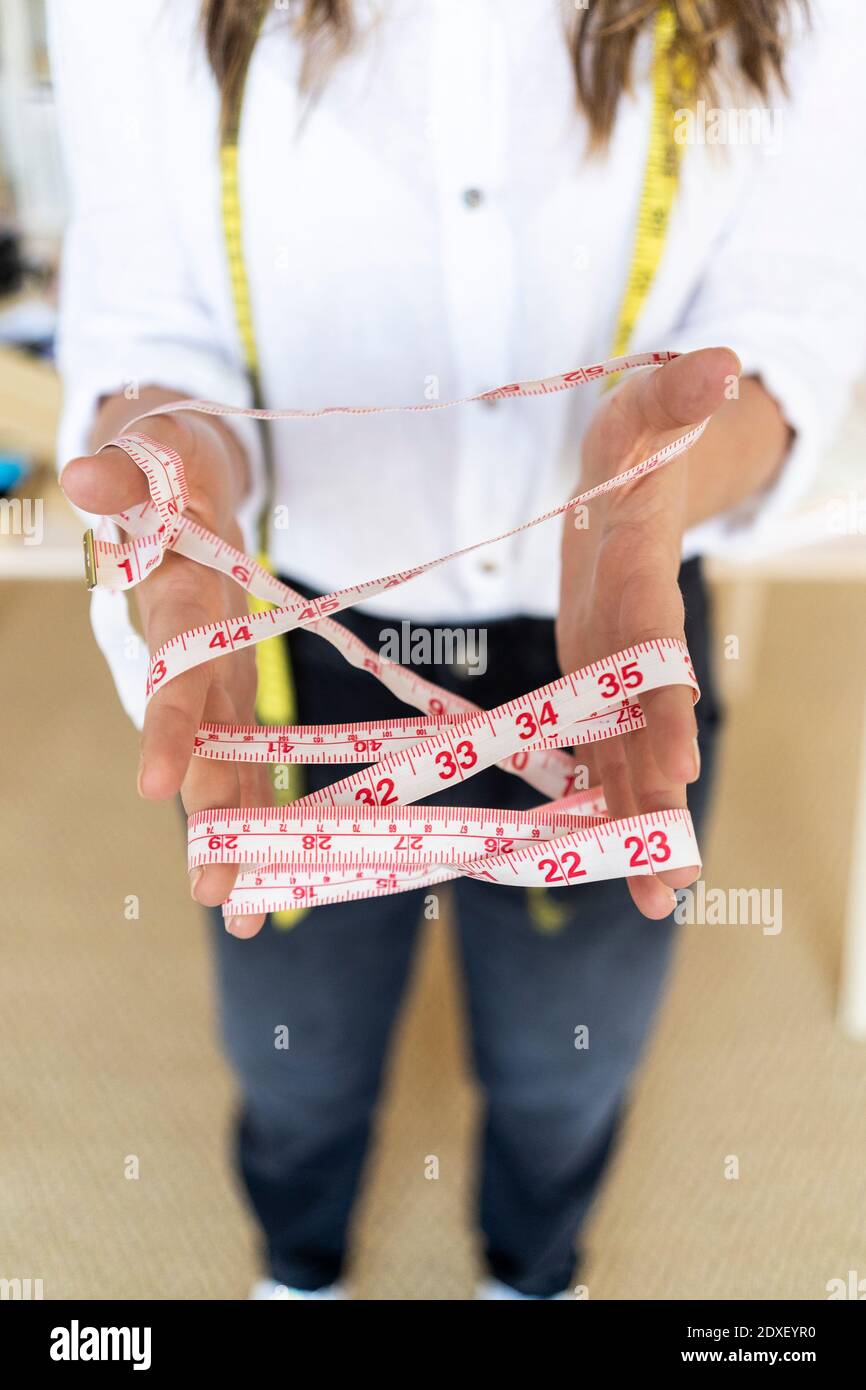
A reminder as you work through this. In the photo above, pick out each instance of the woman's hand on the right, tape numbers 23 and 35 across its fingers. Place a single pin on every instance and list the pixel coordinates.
(619, 584)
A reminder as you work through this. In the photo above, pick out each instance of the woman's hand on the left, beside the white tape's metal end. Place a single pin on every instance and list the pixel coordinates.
(176, 597)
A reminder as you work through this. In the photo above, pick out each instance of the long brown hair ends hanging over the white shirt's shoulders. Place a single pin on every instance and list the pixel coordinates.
(601, 40)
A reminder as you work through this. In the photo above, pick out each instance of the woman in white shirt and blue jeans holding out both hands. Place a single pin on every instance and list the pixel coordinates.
(437, 198)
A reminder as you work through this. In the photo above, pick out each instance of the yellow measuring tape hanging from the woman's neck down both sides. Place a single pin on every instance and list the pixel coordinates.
(672, 87)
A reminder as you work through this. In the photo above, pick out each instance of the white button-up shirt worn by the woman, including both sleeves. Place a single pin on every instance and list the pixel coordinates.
(376, 280)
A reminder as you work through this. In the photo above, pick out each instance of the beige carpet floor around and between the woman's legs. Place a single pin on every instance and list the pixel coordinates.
(109, 1058)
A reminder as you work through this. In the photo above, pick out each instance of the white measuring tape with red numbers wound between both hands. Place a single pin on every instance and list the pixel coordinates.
(363, 836)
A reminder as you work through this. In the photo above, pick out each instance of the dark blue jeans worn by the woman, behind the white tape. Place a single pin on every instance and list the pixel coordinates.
(337, 979)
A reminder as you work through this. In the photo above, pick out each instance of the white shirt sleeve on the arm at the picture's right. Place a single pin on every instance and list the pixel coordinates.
(787, 280)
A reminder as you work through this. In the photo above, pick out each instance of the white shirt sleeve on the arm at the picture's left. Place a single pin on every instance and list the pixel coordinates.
(130, 311)
